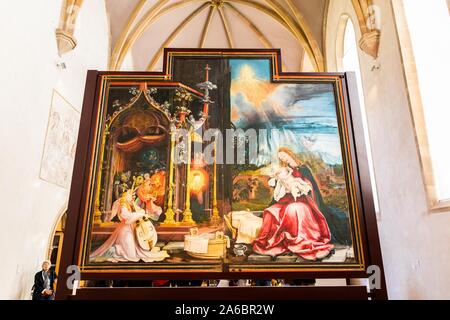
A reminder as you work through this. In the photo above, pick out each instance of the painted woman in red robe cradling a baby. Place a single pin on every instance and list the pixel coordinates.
(294, 223)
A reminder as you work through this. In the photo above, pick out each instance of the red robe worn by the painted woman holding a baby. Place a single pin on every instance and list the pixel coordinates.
(294, 226)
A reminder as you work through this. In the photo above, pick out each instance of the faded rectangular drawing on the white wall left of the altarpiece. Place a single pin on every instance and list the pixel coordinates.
(60, 142)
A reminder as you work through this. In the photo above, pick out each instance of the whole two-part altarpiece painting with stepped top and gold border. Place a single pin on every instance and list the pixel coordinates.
(221, 163)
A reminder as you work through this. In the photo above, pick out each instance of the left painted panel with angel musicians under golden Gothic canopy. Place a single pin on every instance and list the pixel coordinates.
(142, 209)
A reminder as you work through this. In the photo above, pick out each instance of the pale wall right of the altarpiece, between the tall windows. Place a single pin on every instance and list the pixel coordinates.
(415, 243)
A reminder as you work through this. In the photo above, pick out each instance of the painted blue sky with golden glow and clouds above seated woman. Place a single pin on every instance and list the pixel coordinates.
(303, 114)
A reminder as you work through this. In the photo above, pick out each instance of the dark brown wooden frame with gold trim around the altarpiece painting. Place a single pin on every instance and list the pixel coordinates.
(80, 185)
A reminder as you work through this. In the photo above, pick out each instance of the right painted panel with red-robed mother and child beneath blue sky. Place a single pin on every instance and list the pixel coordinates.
(291, 198)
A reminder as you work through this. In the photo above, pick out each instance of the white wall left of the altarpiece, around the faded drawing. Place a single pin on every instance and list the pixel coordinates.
(28, 58)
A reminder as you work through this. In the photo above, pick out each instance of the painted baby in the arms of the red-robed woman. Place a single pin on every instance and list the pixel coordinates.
(284, 182)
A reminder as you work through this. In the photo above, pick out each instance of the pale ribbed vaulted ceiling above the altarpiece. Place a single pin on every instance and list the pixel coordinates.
(140, 29)
